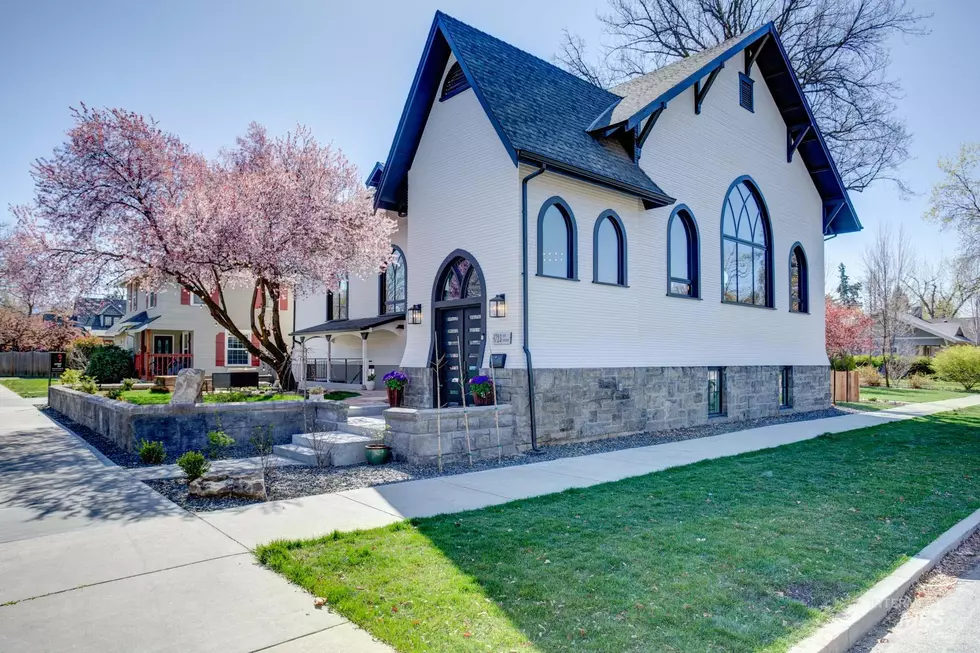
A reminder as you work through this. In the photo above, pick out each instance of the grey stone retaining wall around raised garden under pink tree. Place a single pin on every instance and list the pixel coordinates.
(182, 428)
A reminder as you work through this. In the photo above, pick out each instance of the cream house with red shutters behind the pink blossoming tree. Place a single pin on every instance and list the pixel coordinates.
(171, 329)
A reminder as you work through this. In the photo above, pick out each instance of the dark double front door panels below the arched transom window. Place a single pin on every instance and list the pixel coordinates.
(460, 337)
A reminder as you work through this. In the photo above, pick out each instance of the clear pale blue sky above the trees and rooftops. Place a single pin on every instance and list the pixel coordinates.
(206, 69)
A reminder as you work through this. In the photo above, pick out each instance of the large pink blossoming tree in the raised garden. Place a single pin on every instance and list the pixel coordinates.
(122, 199)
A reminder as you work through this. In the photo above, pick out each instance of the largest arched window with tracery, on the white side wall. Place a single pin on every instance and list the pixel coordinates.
(746, 247)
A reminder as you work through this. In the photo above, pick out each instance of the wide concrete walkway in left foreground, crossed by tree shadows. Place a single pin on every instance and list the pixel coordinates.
(93, 560)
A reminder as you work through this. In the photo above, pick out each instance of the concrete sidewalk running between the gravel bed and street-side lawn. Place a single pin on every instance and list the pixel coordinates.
(371, 507)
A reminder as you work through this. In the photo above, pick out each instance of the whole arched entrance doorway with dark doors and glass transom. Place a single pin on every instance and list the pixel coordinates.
(459, 321)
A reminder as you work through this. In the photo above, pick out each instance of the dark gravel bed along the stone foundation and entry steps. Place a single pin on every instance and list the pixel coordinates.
(294, 482)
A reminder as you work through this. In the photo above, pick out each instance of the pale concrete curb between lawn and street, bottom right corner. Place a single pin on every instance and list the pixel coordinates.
(846, 629)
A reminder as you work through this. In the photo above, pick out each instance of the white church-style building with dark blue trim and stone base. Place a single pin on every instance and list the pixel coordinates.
(632, 259)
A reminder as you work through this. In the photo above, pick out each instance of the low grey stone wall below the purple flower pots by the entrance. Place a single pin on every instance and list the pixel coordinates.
(413, 434)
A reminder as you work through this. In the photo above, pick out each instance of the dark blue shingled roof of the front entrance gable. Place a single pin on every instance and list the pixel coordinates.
(540, 112)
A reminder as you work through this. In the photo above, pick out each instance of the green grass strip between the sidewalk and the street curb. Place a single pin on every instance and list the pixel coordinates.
(736, 554)
